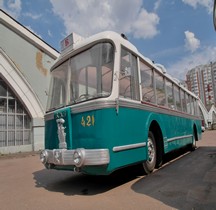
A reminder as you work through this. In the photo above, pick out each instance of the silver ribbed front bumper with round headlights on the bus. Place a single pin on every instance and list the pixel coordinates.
(78, 158)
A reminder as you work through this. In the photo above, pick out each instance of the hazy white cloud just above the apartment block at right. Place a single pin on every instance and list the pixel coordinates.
(180, 68)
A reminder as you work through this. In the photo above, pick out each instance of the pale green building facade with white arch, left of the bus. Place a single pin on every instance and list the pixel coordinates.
(25, 61)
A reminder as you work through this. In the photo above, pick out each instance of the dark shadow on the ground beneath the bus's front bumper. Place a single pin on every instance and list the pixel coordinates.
(71, 183)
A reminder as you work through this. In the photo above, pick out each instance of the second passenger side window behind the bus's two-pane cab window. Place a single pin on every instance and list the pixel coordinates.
(160, 89)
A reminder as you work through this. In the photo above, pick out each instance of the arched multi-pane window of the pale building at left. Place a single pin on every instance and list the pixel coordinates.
(15, 123)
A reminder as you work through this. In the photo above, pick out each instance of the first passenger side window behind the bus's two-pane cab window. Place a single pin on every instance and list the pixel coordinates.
(148, 94)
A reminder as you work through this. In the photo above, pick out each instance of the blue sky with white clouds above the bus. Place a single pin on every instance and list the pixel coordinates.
(179, 34)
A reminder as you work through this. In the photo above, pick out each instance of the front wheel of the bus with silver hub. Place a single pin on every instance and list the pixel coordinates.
(150, 163)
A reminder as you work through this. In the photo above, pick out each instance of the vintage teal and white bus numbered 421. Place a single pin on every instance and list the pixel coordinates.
(110, 107)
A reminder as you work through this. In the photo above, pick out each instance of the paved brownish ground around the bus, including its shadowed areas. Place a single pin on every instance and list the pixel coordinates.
(186, 181)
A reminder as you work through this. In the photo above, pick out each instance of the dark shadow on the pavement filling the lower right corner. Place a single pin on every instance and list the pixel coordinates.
(188, 183)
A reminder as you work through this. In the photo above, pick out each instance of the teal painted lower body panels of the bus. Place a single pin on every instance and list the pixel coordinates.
(109, 130)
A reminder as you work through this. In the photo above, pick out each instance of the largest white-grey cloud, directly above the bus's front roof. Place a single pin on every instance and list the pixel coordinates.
(91, 16)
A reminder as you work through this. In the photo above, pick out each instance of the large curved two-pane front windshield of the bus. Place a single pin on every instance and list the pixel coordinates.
(85, 76)
